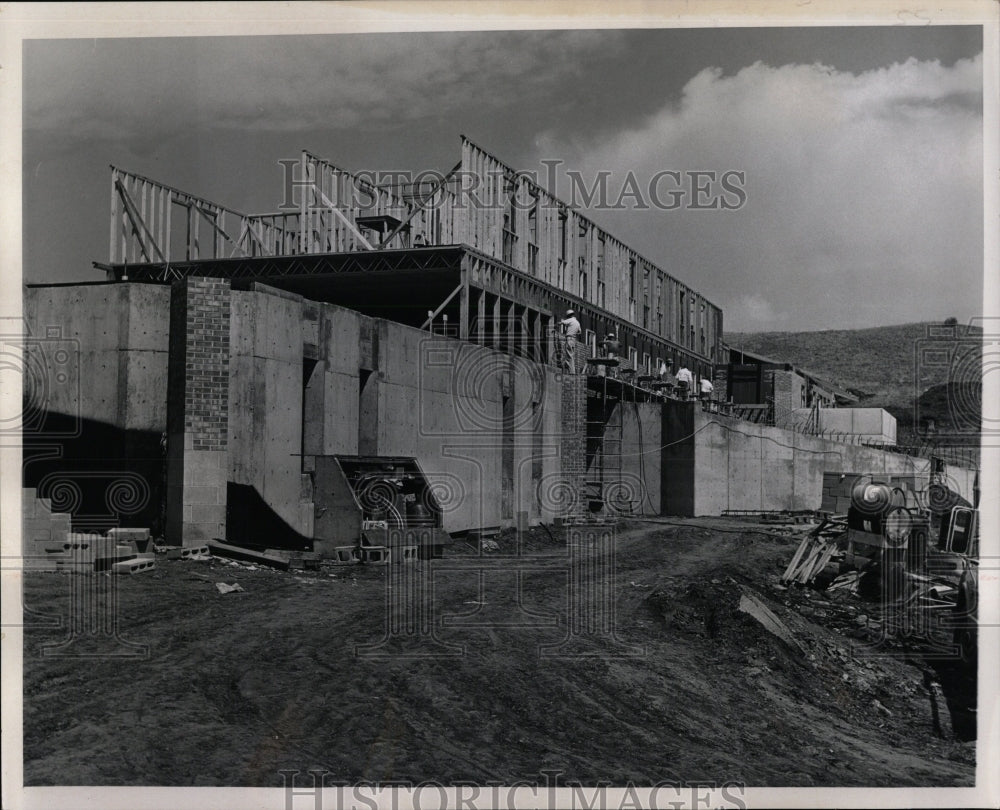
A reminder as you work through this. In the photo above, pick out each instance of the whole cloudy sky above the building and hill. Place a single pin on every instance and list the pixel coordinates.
(860, 147)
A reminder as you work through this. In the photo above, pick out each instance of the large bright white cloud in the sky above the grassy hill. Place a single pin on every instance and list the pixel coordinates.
(864, 191)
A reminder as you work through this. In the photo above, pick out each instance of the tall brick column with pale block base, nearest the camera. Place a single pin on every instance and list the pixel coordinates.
(198, 411)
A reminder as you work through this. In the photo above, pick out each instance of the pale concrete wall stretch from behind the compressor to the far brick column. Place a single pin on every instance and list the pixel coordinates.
(482, 425)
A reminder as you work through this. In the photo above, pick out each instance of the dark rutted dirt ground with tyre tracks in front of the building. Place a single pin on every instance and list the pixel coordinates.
(639, 667)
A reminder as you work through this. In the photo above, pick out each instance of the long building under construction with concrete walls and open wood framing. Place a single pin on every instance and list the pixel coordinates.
(386, 353)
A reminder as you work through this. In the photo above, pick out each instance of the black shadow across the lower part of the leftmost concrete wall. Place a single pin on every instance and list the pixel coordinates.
(102, 475)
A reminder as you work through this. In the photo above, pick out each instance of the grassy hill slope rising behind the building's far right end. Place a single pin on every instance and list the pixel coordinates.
(888, 366)
